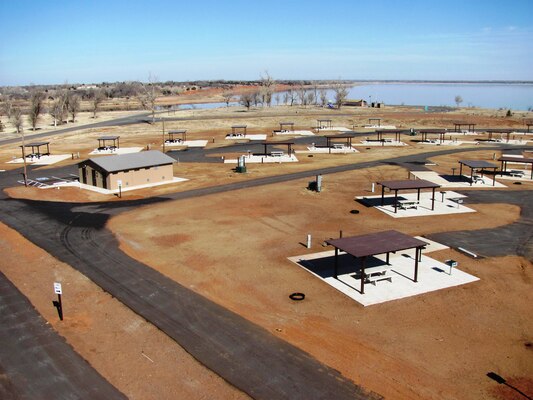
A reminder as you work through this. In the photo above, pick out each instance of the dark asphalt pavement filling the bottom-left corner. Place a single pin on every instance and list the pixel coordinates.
(37, 363)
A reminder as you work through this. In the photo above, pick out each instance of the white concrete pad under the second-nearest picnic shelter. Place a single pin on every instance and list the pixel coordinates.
(442, 207)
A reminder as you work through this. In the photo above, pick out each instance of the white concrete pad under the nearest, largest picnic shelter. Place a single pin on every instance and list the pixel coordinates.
(432, 275)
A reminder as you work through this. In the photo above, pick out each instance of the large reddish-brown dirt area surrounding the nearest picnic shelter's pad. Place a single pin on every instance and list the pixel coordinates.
(236, 256)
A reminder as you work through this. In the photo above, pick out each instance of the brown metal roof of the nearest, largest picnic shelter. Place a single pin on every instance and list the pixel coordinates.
(376, 243)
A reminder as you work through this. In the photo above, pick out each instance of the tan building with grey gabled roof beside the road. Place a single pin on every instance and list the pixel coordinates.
(131, 169)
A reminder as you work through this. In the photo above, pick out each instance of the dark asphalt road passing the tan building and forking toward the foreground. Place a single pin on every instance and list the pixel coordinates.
(247, 356)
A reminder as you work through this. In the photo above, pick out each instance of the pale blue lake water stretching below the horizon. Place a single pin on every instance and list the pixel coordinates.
(496, 96)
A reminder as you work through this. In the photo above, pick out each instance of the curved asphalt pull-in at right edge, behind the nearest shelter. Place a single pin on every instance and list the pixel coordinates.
(515, 238)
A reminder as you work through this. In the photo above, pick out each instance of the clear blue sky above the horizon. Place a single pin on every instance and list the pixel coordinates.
(52, 41)
